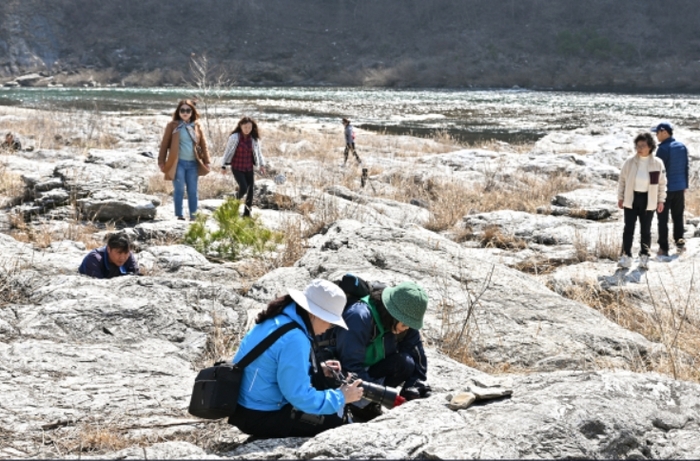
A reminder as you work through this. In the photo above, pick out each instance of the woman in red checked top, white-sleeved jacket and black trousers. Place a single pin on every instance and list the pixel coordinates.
(243, 153)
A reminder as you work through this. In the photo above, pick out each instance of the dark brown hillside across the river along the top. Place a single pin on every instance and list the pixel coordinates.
(624, 45)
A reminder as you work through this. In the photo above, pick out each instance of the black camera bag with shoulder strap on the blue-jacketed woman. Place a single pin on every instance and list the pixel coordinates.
(215, 393)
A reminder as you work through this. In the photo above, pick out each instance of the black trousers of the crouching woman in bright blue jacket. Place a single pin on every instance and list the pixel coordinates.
(286, 422)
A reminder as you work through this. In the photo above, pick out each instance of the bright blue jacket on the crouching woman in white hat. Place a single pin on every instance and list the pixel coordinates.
(281, 374)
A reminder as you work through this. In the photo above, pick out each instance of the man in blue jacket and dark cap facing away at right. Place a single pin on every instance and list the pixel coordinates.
(674, 154)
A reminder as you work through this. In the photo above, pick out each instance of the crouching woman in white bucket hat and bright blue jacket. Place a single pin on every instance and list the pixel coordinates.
(277, 398)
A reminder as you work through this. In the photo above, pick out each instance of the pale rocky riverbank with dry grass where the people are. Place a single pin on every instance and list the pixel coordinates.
(516, 246)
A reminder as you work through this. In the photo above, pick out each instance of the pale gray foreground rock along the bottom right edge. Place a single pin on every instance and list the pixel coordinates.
(563, 414)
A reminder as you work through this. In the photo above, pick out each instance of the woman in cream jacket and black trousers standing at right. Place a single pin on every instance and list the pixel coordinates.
(641, 190)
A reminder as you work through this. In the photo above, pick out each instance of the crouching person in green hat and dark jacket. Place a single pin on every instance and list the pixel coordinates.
(382, 343)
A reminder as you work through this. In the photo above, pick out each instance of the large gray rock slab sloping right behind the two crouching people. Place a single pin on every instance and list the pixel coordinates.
(516, 321)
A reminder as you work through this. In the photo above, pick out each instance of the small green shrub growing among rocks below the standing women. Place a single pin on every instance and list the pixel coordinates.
(234, 234)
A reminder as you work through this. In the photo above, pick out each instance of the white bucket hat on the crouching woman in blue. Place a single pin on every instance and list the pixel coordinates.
(324, 299)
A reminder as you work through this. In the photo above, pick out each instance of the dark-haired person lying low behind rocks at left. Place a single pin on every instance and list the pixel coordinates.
(112, 260)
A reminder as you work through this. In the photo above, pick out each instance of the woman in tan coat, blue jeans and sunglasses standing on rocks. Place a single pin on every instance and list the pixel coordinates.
(184, 156)
